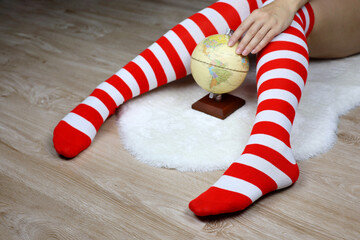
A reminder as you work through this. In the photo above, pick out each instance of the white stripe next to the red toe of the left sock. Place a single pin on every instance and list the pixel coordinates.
(80, 124)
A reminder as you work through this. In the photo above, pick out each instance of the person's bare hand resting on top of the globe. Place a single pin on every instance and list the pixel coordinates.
(262, 26)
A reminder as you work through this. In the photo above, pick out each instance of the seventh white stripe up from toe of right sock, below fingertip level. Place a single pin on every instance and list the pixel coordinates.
(285, 54)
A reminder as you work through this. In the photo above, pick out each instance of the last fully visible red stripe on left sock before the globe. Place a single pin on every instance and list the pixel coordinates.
(173, 56)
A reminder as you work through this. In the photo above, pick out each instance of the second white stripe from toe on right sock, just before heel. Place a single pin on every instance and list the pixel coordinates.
(282, 180)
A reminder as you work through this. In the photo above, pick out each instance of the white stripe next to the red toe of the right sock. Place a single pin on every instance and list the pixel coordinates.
(239, 186)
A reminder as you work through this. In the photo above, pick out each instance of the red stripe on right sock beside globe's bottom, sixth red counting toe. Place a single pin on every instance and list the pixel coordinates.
(281, 83)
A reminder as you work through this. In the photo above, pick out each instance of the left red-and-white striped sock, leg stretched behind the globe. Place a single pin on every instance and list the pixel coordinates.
(164, 61)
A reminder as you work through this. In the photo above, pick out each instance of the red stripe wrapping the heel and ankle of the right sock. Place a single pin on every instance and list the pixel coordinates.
(275, 159)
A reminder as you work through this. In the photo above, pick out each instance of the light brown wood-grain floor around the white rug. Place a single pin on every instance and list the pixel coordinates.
(52, 55)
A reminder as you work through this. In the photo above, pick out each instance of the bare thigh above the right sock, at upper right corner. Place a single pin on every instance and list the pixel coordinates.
(336, 31)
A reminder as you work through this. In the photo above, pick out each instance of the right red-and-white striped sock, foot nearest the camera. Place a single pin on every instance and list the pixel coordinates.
(267, 163)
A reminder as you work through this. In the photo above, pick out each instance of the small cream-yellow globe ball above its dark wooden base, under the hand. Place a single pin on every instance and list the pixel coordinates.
(216, 67)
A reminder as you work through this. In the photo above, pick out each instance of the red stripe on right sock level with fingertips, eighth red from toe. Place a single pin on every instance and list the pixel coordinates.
(283, 45)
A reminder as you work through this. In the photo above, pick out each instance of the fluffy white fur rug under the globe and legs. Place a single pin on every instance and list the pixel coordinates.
(160, 128)
